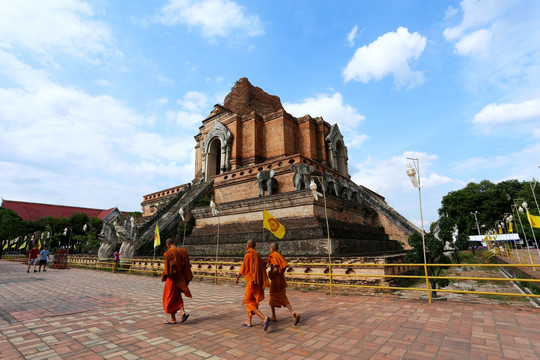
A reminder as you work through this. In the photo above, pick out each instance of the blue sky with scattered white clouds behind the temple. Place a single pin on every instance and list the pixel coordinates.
(100, 100)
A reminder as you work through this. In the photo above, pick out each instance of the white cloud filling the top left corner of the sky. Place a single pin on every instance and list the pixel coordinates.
(50, 27)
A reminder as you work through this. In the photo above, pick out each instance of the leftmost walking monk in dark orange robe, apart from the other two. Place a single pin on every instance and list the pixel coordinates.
(177, 275)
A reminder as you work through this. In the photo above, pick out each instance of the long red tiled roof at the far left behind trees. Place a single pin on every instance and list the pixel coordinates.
(33, 211)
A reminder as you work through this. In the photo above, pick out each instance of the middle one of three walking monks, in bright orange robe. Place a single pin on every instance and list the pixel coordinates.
(254, 271)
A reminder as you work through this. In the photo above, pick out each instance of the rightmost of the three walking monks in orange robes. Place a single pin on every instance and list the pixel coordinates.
(278, 296)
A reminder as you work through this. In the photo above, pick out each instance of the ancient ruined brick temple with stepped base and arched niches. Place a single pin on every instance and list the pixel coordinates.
(253, 155)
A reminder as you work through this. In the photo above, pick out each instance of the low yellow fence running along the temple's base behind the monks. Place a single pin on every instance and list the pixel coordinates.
(378, 276)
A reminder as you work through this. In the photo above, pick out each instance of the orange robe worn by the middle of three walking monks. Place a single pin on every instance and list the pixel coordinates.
(254, 271)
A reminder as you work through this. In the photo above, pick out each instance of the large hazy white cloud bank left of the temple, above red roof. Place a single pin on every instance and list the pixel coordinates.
(60, 142)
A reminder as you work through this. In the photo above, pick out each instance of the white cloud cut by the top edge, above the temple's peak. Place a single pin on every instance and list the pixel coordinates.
(215, 18)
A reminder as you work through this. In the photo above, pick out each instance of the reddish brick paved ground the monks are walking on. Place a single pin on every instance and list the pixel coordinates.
(85, 314)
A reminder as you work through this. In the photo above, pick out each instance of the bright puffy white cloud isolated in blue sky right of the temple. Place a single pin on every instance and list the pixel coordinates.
(393, 54)
